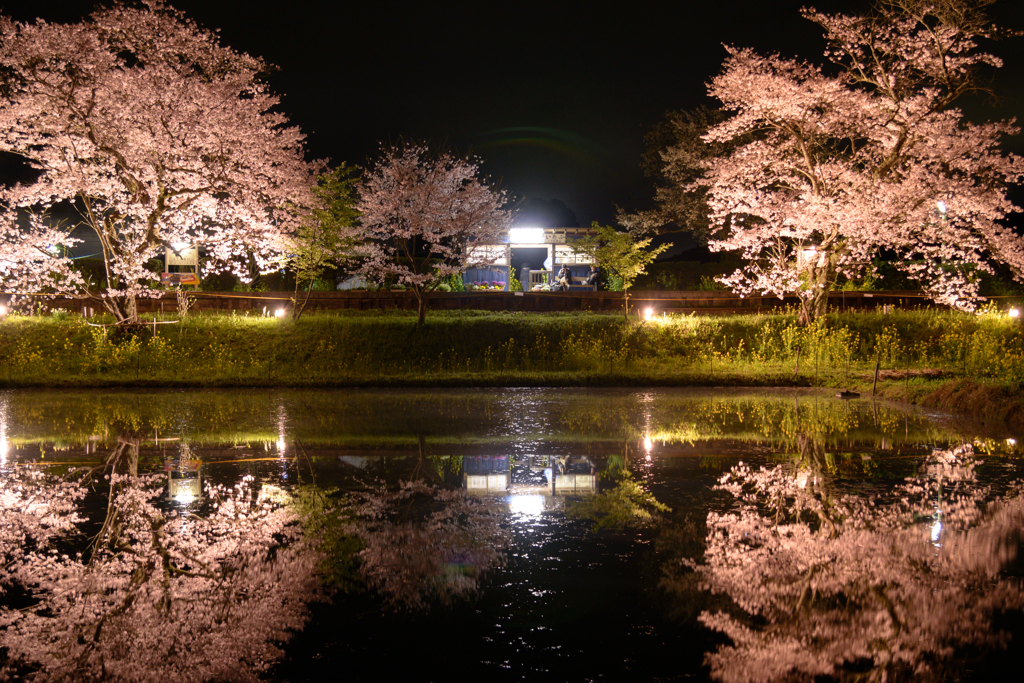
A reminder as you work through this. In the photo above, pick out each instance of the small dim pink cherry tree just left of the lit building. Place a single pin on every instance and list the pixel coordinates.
(422, 214)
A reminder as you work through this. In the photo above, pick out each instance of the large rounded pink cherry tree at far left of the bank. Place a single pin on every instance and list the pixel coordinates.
(158, 136)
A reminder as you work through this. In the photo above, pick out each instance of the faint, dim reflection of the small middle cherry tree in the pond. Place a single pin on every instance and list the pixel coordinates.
(425, 543)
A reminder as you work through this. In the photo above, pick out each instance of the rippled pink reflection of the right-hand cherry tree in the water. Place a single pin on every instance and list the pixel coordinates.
(854, 589)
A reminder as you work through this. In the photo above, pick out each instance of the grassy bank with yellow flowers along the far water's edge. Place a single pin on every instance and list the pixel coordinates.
(953, 361)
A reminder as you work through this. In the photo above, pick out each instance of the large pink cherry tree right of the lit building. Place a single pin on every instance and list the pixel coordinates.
(871, 156)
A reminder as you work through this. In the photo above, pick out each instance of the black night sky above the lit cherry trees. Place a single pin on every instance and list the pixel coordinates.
(556, 98)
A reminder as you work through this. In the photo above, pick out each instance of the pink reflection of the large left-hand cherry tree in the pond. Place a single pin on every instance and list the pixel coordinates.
(155, 595)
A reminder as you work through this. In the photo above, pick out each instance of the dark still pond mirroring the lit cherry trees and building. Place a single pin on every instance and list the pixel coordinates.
(505, 535)
